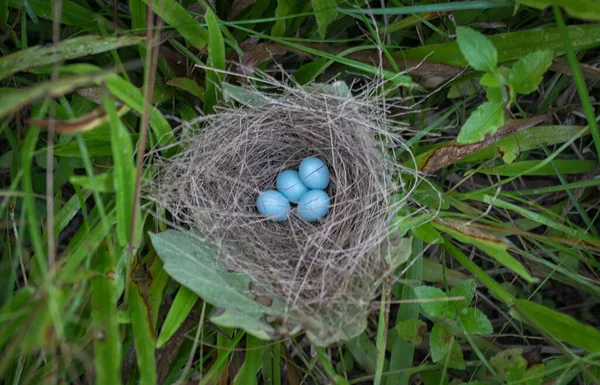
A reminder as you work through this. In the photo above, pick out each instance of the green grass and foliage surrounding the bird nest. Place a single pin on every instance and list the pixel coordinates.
(502, 286)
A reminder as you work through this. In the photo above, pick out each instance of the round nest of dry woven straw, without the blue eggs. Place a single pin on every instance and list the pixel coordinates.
(326, 271)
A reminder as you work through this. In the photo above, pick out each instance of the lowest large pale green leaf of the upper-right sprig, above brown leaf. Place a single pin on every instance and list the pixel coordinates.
(486, 119)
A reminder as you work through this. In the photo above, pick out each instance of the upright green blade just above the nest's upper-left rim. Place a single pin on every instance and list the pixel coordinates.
(216, 61)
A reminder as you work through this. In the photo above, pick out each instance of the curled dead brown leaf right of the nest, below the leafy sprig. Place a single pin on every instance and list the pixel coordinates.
(450, 153)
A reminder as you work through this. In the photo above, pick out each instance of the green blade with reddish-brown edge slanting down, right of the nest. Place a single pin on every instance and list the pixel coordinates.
(493, 247)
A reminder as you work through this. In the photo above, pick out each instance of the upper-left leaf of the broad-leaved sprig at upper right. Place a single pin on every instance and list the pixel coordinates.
(479, 52)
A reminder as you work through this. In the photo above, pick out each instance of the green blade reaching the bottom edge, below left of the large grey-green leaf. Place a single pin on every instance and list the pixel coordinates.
(143, 335)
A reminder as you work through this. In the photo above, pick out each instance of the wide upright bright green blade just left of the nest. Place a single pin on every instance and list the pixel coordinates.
(124, 177)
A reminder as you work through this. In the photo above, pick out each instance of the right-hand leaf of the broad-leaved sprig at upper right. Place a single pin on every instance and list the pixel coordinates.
(526, 74)
